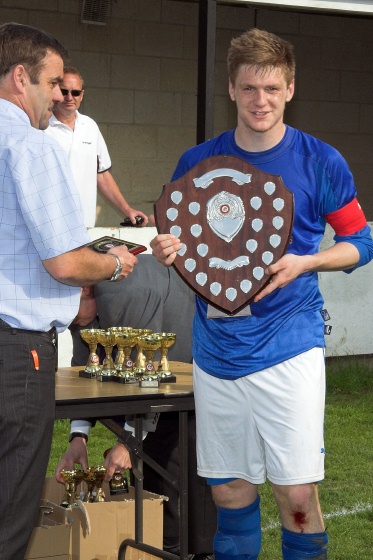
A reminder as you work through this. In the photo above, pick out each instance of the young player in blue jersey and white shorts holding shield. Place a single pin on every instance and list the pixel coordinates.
(259, 379)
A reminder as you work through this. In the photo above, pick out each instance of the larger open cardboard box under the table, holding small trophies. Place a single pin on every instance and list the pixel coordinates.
(99, 528)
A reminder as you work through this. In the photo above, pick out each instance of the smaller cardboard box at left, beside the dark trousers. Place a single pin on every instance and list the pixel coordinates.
(51, 538)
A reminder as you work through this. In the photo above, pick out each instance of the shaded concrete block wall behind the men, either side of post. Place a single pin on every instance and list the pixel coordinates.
(141, 82)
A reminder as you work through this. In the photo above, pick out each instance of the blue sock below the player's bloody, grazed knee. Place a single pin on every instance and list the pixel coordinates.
(297, 546)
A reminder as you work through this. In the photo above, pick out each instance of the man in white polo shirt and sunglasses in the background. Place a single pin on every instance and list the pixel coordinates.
(87, 152)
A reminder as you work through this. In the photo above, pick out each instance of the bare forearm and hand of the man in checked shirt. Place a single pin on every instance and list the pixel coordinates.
(84, 267)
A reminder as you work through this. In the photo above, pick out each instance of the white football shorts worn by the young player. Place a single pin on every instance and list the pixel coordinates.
(267, 424)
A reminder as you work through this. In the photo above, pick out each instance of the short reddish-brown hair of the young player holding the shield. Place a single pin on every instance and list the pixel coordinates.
(263, 50)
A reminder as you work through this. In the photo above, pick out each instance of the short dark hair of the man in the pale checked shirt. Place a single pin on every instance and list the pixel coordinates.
(22, 44)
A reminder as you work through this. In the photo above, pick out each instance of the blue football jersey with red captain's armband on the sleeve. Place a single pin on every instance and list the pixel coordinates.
(288, 321)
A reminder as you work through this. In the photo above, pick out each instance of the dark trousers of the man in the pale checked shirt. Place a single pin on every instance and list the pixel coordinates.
(27, 405)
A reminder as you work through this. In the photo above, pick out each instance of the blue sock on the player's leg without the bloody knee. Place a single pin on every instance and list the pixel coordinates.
(238, 536)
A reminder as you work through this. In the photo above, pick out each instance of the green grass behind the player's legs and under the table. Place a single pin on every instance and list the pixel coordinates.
(346, 494)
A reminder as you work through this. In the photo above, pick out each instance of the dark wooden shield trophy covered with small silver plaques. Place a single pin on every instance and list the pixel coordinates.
(233, 220)
